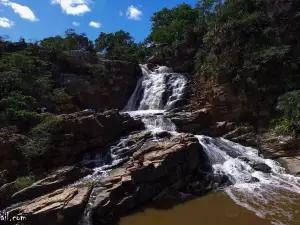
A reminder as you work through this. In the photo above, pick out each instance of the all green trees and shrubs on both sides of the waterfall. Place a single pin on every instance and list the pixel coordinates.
(251, 45)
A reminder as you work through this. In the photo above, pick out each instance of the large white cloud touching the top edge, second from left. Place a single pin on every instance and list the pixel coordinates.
(73, 7)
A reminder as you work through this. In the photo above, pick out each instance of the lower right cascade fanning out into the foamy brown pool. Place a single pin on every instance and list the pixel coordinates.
(269, 195)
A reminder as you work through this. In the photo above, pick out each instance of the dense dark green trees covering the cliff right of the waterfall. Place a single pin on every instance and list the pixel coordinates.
(251, 45)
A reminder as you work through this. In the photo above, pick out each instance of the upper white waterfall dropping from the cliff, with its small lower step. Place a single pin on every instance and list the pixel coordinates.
(156, 91)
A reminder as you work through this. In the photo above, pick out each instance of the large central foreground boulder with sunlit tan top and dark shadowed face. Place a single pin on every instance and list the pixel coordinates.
(162, 165)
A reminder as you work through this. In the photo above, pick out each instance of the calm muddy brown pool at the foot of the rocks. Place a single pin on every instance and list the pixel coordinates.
(213, 209)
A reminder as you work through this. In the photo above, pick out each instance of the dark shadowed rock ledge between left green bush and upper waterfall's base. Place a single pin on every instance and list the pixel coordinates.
(81, 132)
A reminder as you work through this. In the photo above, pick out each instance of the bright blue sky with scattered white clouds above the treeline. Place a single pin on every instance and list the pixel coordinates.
(36, 19)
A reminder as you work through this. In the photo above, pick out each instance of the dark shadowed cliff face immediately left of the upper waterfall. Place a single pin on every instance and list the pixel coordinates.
(107, 91)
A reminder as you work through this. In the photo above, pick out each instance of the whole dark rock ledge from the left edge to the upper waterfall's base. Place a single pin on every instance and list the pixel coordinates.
(65, 142)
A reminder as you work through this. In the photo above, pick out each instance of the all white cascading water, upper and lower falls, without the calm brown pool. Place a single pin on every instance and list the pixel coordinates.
(268, 194)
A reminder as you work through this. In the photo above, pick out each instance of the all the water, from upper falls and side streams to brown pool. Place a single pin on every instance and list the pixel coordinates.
(259, 197)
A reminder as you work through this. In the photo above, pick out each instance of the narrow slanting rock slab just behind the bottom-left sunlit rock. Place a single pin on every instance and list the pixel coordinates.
(53, 182)
